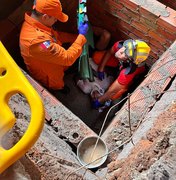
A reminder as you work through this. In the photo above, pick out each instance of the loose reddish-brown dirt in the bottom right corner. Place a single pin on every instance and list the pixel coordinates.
(148, 151)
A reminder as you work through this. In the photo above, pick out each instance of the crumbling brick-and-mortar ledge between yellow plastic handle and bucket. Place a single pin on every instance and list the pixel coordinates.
(61, 117)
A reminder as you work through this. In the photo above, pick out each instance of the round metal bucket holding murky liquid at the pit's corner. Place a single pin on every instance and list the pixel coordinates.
(86, 152)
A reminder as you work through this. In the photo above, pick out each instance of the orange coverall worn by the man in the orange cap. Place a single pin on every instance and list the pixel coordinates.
(43, 54)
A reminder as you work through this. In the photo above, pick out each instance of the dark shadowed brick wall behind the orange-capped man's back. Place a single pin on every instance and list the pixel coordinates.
(11, 25)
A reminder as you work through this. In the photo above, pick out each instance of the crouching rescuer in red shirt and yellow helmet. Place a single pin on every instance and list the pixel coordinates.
(129, 58)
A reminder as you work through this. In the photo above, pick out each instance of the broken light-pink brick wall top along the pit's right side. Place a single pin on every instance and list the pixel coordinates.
(142, 100)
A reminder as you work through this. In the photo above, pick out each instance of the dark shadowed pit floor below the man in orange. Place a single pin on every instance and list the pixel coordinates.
(78, 102)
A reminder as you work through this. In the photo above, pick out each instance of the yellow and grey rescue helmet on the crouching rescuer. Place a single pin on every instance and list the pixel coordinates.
(136, 50)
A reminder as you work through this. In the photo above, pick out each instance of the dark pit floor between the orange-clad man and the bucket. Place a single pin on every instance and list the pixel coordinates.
(80, 103)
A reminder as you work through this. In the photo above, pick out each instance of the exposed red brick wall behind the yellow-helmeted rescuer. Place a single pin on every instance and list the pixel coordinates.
(127, 19)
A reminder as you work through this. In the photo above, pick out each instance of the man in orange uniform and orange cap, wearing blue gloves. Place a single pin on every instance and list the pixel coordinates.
(41, 46)
